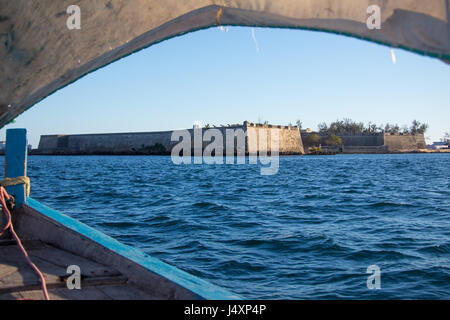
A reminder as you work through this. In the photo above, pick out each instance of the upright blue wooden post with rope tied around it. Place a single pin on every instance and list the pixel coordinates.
(16, 162)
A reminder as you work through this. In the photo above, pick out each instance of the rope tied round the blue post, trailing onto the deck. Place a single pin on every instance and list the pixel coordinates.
(4, 196)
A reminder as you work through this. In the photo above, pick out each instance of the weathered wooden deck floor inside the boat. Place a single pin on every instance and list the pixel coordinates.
(19, 281)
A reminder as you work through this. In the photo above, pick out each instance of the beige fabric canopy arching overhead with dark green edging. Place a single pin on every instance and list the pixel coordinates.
(42, 50)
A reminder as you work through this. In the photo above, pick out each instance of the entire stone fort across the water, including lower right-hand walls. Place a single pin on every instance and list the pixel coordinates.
(258, 138)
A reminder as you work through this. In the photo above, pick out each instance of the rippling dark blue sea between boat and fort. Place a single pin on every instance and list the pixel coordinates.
(308, 232)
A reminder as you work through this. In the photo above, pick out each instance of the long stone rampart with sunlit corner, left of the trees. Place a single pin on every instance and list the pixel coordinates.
(258, 138)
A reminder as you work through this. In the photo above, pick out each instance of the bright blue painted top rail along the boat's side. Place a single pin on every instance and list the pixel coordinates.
(201, 288)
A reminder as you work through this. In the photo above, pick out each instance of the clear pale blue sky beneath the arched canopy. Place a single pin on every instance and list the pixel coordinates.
(220, 77)
